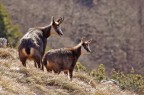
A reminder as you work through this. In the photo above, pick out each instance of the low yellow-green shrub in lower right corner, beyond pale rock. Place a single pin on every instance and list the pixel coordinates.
(133, 82)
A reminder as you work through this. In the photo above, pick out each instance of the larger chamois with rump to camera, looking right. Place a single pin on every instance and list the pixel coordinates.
(33, 44)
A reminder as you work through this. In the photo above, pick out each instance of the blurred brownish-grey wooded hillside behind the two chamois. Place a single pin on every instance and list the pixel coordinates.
(116, 27)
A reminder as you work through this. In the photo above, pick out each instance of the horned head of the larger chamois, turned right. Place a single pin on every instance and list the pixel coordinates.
(56, 25)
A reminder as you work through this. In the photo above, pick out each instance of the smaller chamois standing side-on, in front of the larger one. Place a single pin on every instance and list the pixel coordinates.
(64, 59)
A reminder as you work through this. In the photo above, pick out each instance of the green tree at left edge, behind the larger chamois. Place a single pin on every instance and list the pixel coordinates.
(7, 30)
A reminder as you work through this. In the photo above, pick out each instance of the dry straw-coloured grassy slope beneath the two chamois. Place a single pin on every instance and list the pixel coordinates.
(17, 80)
